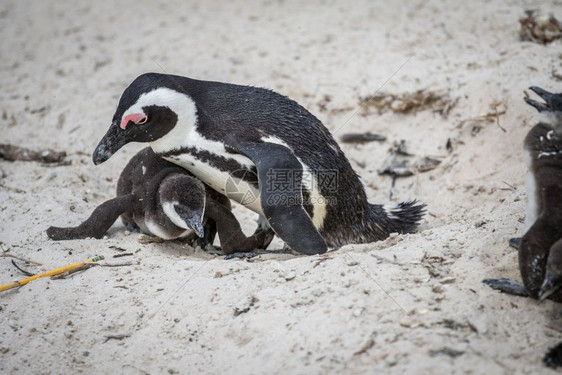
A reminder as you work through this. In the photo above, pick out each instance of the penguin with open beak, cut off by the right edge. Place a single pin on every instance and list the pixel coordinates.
(540, 249)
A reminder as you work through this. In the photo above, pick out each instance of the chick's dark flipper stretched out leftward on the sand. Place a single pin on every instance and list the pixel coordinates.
(98, 223)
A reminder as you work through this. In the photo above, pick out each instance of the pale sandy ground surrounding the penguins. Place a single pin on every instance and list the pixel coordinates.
(373, 308)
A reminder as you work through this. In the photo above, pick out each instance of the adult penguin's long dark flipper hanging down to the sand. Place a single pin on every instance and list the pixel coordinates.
(283, 208)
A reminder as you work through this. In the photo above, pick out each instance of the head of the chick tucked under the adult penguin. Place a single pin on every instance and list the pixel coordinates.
(183, 200)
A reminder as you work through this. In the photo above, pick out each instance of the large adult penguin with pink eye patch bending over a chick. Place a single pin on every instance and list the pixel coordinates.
(270, 146)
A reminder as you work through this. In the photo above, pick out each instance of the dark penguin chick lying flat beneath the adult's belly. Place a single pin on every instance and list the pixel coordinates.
(166, 201)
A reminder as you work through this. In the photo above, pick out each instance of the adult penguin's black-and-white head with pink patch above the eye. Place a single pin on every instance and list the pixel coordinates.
(148, 109)
